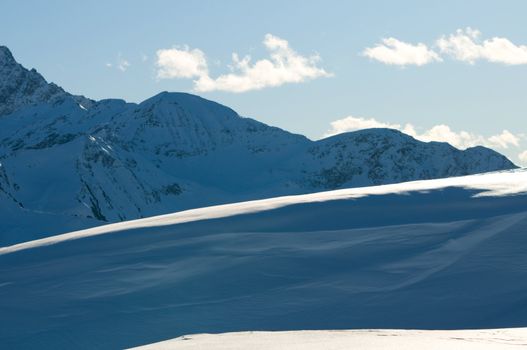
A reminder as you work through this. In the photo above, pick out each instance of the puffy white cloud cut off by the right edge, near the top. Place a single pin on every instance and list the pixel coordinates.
(466, 45)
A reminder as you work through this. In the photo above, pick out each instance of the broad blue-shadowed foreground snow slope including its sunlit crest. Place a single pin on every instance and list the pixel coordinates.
(438, 254)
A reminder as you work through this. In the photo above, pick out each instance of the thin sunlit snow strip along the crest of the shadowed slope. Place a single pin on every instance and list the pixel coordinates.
(488, 185)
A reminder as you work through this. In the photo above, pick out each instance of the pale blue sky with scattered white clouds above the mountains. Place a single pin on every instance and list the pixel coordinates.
(469, 89)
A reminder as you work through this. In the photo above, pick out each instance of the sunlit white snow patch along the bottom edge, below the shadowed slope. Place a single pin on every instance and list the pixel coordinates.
(491, 339)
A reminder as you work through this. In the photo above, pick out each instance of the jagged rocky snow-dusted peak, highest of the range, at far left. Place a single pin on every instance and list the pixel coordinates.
(20, 87)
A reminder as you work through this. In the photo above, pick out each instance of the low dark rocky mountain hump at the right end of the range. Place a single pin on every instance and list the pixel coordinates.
(379, 156)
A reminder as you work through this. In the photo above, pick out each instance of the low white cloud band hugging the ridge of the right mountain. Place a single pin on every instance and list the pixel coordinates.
(439, 133)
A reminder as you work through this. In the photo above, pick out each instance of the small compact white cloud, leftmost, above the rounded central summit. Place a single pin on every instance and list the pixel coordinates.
(181, 63)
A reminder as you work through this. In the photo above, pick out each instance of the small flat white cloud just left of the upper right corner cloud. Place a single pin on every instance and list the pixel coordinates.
(396, 52)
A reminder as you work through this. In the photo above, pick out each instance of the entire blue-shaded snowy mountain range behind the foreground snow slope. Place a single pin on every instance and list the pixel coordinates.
(68, 162)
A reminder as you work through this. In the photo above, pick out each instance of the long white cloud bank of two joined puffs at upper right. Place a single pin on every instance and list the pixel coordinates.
(465, 45)
